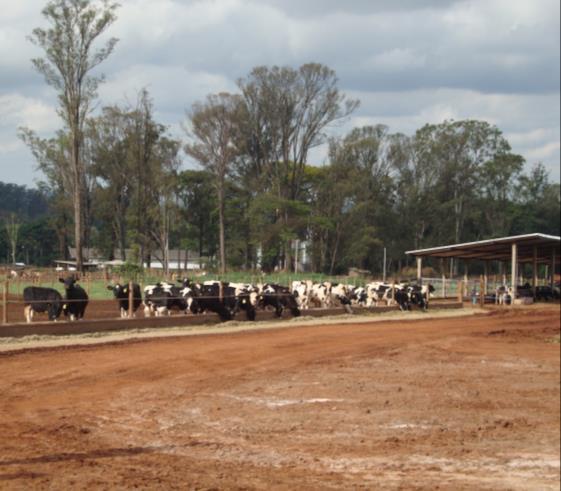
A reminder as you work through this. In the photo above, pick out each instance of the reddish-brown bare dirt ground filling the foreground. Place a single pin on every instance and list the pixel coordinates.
(437, 403)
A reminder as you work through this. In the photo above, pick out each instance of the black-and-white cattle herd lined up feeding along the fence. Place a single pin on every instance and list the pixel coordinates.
(226, 299)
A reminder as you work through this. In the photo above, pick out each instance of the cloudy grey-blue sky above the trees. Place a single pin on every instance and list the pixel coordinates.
(410, 62)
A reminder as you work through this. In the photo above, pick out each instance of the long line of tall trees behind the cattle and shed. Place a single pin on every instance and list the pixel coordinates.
(114, 181)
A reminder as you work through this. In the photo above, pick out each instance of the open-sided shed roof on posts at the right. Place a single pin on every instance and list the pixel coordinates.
(530, 248)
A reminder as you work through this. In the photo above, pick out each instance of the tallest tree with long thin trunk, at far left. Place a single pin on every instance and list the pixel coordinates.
(69, 58)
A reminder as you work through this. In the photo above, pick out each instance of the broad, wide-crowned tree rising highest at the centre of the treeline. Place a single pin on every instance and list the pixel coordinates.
(287, 112)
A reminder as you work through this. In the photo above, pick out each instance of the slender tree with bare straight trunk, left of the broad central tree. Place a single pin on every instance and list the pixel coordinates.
(214, 127)
